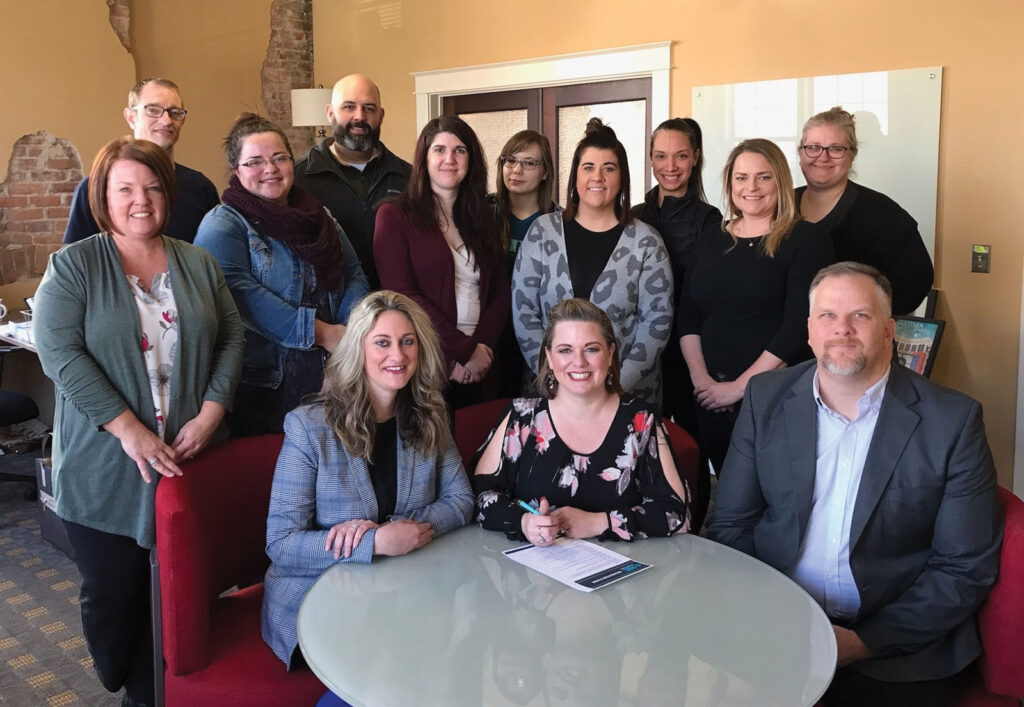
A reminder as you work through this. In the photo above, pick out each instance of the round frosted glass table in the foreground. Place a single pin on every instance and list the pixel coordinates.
(457, 623)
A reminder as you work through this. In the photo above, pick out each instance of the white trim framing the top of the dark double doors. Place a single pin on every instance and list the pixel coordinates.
(639, 61)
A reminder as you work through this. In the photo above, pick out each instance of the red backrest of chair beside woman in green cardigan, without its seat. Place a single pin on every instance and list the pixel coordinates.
(211, 535)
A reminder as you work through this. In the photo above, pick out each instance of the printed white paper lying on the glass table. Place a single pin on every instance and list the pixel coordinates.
(579, 564)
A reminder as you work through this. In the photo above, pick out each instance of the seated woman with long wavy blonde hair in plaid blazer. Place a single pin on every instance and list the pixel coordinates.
(381, 426)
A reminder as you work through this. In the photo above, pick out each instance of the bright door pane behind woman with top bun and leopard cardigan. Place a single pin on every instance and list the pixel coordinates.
(627, 118)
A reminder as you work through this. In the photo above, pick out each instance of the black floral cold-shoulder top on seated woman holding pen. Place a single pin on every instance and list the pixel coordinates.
(622, 478)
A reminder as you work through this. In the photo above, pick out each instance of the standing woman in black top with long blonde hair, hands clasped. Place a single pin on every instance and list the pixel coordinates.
(745, 307)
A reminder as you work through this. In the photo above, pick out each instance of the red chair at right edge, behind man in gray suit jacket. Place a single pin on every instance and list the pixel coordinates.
(999, 682)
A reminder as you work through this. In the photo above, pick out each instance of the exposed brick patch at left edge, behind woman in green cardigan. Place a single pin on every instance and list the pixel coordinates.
(34, 203)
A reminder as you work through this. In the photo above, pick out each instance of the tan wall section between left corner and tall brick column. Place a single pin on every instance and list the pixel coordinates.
(214, 50)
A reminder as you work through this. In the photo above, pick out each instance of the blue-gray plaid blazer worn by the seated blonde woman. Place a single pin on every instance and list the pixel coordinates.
(318, 485)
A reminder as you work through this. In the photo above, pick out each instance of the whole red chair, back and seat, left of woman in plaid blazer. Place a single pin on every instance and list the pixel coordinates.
(211, 535)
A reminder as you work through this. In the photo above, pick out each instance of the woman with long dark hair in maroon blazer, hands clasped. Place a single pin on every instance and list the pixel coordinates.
(438, 243)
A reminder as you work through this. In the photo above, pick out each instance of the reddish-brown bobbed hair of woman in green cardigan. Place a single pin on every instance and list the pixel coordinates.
(127, 148)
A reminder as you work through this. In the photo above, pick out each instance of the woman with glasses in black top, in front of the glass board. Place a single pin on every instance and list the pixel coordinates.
(865, 226)
